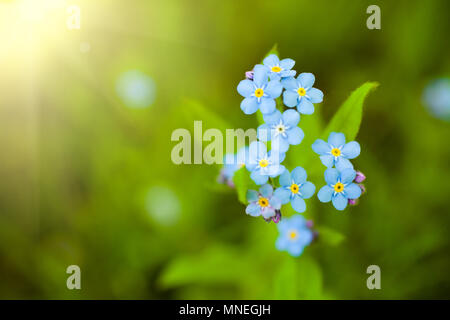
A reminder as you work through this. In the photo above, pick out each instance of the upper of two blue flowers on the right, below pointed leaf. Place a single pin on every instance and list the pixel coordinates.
(336, 152)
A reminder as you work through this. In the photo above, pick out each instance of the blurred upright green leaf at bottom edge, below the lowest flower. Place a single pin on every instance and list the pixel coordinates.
(298, 278)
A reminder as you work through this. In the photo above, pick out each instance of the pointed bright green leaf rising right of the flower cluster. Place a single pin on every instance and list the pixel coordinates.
(348, 118)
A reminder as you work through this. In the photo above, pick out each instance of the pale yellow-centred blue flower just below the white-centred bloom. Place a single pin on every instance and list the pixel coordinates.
(263, 164)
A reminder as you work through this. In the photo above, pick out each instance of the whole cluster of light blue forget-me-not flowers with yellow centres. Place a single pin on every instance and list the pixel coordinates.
(270, 87)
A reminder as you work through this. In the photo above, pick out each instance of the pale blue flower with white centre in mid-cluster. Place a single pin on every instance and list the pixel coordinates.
(281, 129)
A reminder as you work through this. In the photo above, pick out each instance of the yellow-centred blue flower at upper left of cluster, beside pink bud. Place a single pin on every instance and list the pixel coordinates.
(259, 93)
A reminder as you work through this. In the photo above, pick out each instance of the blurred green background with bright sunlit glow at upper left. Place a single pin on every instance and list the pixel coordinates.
(87, 179)
